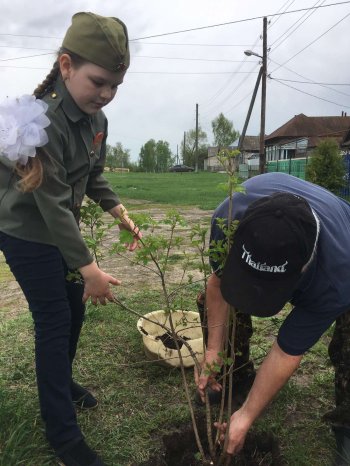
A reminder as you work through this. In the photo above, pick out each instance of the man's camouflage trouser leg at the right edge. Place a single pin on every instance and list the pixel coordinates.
(339, 353)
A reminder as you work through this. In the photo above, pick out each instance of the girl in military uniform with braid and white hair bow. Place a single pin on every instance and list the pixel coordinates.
(41, 191)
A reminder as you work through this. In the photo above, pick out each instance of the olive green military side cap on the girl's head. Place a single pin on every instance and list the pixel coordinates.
(99, 39)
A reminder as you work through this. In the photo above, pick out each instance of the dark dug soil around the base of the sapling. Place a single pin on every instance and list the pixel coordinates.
(180, 449)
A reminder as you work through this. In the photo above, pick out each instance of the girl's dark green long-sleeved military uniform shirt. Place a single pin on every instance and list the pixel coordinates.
(77, 152)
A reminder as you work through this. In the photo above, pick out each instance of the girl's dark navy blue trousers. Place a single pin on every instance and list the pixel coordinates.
(58, 313)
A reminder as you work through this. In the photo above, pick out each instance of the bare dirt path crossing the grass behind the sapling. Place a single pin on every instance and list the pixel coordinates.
(12, 301)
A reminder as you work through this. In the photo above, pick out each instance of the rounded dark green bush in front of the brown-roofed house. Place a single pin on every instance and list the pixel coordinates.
(326, 166)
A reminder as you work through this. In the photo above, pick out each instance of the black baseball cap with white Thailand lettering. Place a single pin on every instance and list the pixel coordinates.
(274, 240)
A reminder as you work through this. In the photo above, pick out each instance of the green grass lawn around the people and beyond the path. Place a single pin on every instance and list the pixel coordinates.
(140, 400)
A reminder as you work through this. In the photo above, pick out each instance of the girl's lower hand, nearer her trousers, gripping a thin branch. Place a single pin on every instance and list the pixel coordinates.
(97, 284)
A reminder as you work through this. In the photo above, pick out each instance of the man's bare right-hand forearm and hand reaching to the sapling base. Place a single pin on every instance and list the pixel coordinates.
(273, 374)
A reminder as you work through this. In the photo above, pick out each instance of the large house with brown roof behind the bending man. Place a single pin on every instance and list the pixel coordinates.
(300, 135)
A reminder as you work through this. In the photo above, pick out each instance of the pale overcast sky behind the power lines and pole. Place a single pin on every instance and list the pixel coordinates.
(172, 72)
